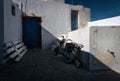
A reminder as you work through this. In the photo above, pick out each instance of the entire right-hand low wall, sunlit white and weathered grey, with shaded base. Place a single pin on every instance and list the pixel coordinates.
(101, 44)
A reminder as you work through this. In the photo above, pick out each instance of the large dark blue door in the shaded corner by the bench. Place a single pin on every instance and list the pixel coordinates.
(32, 32)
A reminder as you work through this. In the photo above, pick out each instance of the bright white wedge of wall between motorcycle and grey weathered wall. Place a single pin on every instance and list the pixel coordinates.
(81, 36)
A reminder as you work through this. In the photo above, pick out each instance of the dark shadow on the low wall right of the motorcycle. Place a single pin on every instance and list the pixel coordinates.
(92, 63)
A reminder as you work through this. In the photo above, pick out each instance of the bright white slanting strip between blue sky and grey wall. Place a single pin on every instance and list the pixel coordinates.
(114, 21)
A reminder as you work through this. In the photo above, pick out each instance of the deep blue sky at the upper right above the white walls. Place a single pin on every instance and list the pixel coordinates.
(100, 9)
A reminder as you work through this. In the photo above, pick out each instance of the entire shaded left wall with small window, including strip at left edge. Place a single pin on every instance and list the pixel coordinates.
(10, 23)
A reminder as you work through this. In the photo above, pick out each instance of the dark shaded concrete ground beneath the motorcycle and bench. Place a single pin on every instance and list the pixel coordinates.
(41, 65)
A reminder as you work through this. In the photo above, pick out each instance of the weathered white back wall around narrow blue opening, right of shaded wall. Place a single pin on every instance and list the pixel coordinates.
(56, 17)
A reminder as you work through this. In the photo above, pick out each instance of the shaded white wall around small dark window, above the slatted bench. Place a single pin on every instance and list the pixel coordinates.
(12, 24)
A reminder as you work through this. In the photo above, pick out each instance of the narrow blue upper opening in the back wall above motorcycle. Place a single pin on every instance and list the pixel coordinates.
(74, 20)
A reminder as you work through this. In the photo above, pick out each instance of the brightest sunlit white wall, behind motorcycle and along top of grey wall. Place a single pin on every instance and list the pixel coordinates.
(82, 34)
